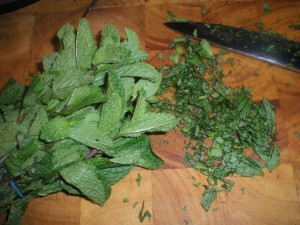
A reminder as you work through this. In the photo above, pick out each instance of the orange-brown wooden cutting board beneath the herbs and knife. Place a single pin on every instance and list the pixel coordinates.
(28, 34)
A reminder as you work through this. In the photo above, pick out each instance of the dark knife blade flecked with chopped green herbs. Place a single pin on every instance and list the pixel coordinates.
(273, 49)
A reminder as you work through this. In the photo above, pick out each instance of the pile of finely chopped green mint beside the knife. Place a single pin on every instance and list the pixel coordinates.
(229, 133)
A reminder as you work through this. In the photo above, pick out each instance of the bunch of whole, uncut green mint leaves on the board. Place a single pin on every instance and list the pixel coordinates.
(83, 122)
